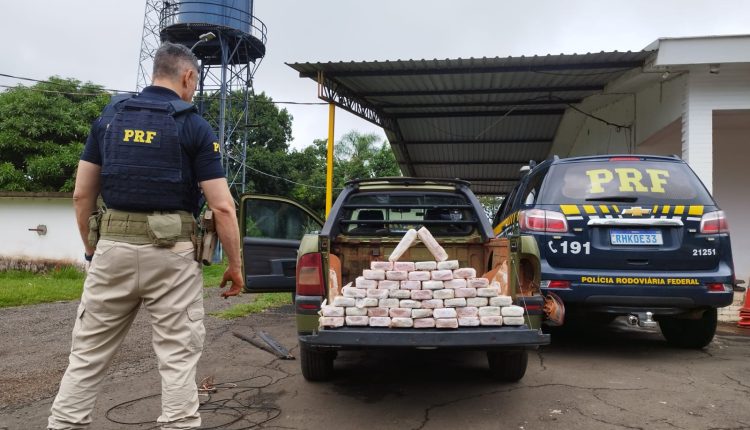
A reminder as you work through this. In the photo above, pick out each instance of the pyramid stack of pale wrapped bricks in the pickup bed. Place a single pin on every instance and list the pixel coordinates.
(424, 294)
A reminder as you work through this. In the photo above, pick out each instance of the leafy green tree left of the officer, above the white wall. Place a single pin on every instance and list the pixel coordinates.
(42, 132)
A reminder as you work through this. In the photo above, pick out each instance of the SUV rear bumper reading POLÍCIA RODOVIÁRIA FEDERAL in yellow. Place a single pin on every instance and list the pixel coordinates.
(658, 292)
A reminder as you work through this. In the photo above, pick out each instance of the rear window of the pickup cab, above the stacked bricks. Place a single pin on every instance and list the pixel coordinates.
(393, 214)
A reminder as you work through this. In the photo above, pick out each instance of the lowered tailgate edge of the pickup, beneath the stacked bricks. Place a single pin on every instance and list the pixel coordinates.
(464, 338)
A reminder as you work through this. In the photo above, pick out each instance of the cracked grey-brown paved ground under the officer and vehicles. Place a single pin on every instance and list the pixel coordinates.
(617, 377)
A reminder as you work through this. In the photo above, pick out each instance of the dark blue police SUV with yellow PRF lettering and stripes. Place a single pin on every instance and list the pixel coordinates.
(627, 235)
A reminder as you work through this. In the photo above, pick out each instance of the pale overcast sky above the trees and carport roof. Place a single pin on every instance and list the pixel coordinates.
(99, 40)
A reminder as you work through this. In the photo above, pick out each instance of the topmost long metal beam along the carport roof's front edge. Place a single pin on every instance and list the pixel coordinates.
(617, 66)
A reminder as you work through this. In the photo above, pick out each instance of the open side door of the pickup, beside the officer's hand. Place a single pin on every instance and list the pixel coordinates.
(272, 228)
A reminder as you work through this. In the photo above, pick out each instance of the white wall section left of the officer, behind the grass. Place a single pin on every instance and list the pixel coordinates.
(18, 215)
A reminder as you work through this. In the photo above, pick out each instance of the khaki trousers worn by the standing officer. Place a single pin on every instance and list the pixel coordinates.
(169, 284)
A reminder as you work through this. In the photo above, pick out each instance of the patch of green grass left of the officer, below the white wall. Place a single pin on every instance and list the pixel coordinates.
(18, 288)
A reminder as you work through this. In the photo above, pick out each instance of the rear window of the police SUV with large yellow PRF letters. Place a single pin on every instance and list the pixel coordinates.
(642, 182)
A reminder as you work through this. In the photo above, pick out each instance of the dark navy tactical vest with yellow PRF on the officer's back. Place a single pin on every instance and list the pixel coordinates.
(144, 166)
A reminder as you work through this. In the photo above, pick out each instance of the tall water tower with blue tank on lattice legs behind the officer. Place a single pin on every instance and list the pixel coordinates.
(230, 43)
